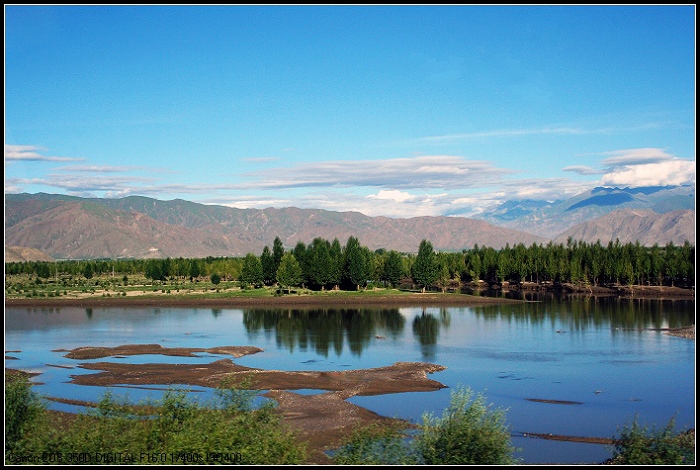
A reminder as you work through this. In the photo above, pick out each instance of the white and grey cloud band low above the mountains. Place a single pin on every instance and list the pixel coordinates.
(400, 187)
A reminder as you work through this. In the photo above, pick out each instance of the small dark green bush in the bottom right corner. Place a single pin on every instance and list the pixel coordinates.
(639, 445)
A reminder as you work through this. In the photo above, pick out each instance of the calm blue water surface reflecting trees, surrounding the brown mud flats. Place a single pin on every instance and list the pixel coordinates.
(599, 352)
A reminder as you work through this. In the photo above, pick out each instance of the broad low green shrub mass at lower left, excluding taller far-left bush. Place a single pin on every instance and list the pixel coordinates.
(176, 427)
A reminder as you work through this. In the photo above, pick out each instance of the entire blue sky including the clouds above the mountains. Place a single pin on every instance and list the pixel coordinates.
(395, 111)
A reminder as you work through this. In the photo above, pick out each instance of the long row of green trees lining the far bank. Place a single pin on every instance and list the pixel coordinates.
(323, 264)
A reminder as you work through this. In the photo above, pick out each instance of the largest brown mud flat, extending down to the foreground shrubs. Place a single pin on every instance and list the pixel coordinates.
(321, 420)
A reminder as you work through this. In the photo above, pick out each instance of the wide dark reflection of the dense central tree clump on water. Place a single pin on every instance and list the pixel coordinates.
(325, 330)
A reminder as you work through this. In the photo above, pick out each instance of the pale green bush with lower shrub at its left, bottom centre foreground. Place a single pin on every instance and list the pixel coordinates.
(469, 432)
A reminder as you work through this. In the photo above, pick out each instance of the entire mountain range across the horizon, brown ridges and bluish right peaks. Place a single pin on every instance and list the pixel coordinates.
(70, 227)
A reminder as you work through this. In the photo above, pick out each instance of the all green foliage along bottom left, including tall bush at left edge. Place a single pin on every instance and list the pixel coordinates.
(174, 430)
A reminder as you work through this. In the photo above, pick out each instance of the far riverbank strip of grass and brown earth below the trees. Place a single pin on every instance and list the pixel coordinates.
(268, 298)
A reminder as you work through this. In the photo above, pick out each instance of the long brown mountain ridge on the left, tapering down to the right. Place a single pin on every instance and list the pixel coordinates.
(72, 227)
